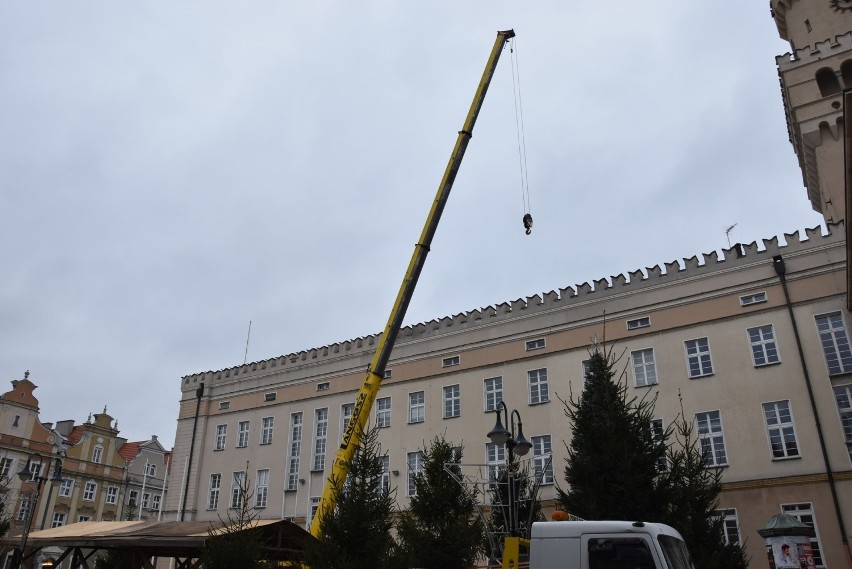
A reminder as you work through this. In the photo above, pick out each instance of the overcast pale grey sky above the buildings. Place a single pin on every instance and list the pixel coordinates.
(170, 171)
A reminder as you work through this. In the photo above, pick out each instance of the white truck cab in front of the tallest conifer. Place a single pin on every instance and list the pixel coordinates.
(605, 545)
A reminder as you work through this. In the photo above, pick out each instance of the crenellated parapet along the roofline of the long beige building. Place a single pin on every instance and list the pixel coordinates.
(599, 290)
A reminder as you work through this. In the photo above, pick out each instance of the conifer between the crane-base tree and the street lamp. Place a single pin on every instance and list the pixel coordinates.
(442, 528)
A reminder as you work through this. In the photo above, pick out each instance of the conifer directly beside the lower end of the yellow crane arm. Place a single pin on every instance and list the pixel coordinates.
(357, 533)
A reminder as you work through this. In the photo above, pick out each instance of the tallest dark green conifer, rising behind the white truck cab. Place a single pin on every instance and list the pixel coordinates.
(613, 457)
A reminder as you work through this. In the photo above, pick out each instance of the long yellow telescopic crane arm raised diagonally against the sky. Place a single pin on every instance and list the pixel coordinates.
(375, 373)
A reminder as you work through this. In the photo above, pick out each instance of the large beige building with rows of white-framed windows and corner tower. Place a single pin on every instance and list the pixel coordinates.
(752, 343)
